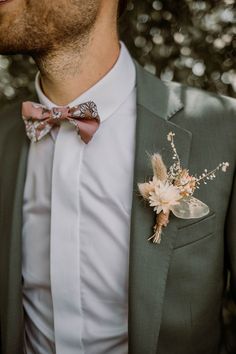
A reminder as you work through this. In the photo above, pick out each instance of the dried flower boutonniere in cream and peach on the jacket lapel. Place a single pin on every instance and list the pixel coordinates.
(171, 190)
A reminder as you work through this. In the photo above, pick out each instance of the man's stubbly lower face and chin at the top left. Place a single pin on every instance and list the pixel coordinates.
(35, 27)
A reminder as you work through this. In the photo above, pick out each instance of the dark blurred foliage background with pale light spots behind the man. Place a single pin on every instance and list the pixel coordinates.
(192, 42)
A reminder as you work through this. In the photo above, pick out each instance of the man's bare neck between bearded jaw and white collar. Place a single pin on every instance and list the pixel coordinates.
(68, 72)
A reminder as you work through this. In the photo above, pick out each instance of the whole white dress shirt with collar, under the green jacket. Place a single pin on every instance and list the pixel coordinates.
(76, 213)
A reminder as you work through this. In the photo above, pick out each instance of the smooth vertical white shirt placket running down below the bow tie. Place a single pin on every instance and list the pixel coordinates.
(65, 242)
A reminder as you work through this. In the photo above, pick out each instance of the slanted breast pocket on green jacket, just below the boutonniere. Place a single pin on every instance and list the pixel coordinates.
(195, 230)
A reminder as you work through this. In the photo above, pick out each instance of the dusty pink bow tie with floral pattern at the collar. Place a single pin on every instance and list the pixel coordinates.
(39, 120)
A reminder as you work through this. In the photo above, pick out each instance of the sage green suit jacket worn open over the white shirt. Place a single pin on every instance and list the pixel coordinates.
(176, 289)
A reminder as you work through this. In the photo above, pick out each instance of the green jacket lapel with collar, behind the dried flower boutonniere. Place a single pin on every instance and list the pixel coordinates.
(149, 263)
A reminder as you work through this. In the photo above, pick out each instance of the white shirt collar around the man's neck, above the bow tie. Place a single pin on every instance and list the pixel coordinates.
(109, 92)
